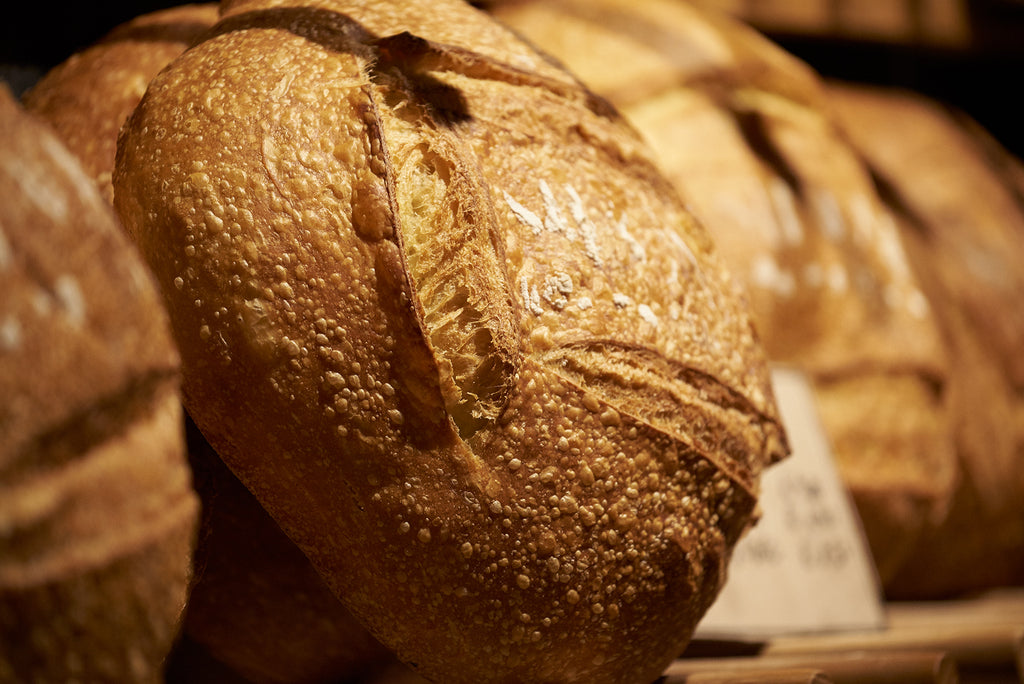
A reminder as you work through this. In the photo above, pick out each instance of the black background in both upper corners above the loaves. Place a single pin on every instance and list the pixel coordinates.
(984, 78)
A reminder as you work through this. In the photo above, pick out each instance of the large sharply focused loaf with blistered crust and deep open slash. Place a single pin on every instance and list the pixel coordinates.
(441, 315)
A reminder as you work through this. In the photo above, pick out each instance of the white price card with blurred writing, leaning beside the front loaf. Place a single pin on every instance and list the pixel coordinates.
(805, 568)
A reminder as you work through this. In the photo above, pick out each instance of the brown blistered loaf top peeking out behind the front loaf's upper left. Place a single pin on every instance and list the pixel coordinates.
(89, 97)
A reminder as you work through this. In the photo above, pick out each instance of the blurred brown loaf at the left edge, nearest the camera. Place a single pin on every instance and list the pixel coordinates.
(97, 511)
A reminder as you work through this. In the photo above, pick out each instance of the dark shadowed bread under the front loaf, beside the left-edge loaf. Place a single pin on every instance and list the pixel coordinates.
(257, 605)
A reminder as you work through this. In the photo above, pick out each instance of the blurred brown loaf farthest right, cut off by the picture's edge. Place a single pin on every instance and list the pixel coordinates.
(964, 226)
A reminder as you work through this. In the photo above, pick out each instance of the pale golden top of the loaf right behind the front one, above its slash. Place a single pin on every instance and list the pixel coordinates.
(631, 54)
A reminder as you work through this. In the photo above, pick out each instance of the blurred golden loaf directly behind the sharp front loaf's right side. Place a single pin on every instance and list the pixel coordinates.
(743, 131)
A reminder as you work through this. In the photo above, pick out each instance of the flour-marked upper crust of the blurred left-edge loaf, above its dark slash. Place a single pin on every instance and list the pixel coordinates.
(64, 344)
